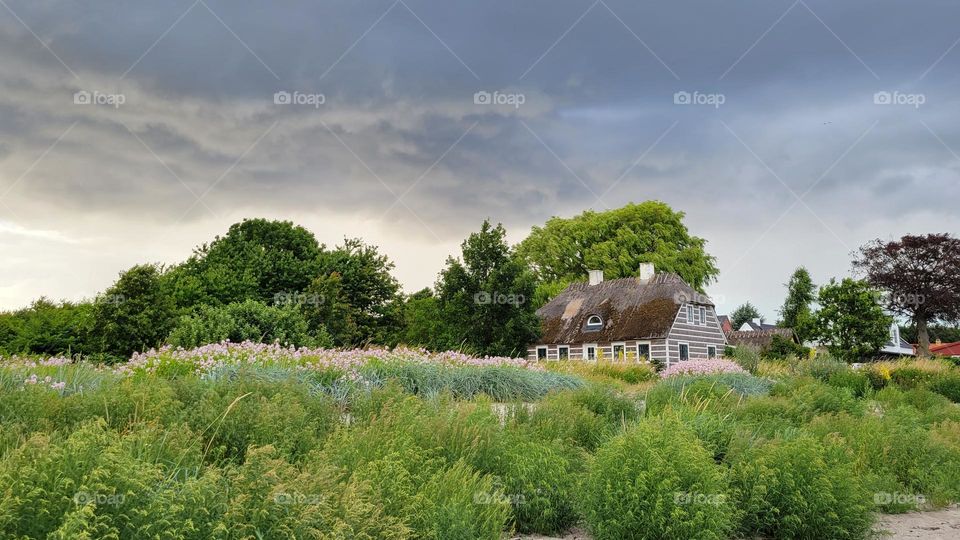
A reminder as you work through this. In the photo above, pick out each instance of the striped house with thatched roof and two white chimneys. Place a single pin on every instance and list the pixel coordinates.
(656, 317)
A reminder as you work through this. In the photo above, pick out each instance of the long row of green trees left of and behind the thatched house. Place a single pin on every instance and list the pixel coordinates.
(273, 281)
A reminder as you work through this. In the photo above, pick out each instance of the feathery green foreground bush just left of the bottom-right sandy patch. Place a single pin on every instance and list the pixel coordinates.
(800, 488)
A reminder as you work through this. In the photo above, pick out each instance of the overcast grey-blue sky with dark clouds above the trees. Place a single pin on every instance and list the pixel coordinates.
(759, 119)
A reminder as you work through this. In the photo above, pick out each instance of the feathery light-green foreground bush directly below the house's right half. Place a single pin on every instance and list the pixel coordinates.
(656, 481)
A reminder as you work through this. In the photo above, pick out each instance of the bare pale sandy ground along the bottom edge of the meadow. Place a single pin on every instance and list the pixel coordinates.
(937, 525)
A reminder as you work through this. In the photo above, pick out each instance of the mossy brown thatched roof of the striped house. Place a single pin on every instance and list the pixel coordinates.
(630, 309)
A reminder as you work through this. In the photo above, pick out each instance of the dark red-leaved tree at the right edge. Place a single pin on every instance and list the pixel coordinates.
(921, 276)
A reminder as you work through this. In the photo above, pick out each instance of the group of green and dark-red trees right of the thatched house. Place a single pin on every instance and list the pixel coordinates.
(914, 279)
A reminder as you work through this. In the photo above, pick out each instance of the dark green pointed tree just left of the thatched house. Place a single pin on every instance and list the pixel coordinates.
(485, 297)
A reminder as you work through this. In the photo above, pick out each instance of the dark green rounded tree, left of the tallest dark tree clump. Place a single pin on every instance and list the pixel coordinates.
(135, 313)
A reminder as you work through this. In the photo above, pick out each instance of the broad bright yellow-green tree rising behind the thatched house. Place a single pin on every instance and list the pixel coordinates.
(617, 241)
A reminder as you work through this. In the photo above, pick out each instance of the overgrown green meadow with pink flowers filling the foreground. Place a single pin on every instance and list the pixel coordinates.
(260, 441)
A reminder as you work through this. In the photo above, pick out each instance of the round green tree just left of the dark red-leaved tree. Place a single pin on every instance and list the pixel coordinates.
(851, 322)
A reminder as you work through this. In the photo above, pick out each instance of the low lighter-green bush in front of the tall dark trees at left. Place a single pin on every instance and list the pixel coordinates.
(243, 321)
